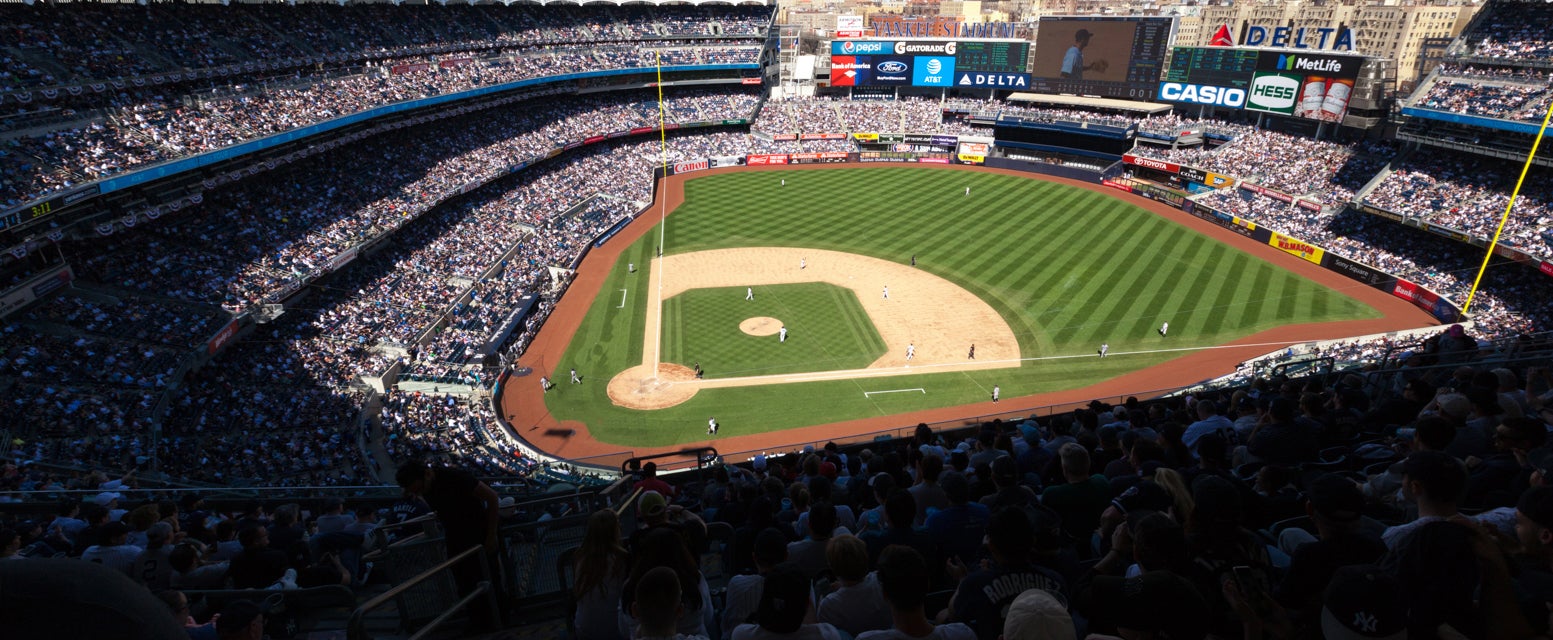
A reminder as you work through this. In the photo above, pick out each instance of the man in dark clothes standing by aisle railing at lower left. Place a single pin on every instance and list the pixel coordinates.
(470, 513)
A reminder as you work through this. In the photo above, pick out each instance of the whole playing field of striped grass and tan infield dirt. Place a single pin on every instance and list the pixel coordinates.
(1037, 274)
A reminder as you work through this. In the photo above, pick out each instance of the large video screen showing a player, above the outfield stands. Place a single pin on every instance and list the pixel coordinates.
(1102, 57)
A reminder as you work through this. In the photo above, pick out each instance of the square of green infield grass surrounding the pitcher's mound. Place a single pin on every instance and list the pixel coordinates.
(827, 330)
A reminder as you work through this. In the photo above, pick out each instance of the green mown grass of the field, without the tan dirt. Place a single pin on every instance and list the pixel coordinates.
(1069, 270)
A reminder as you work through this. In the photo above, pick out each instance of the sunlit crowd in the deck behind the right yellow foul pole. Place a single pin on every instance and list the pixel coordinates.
(1470, 193)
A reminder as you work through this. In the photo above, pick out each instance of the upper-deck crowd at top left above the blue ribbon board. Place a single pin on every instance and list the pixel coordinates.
(164, 125)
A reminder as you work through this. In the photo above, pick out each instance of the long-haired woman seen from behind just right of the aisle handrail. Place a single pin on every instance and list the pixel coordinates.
(600, 572)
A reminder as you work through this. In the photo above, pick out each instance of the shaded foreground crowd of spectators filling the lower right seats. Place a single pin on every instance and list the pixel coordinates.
(1350, 506)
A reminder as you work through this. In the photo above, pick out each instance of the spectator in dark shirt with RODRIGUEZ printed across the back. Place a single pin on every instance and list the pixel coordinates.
(985, 596)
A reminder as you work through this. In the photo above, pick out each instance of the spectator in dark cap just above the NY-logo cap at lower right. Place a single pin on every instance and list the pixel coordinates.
(1335, 506)
